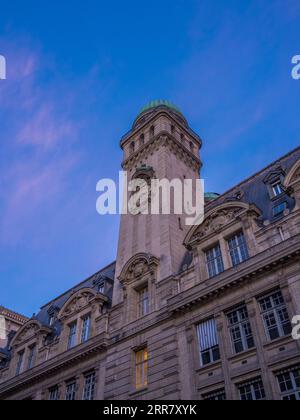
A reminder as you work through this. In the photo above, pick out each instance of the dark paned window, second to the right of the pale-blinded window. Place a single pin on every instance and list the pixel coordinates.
(275, 316)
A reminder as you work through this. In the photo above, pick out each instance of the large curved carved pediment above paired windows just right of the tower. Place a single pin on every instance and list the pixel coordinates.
(219, 218)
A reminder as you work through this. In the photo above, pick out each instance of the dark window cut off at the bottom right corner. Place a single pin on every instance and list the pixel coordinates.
(289, 384)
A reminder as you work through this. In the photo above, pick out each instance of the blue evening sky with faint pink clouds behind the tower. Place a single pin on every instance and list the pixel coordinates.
(78, 73)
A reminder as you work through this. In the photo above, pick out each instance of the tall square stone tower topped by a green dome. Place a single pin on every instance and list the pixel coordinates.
(160, 145)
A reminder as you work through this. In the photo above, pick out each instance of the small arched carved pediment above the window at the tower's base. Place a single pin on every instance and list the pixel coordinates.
(137, 267)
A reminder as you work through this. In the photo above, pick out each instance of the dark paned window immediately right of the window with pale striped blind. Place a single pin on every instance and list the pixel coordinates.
(240, 330)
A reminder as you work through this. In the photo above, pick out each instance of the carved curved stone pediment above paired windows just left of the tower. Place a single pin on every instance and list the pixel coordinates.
(77, 302)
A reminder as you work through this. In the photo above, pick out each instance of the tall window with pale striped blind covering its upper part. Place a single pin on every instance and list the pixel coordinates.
(208, 342)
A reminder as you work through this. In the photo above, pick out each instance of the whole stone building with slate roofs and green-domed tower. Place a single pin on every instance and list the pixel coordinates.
(184, 313)
